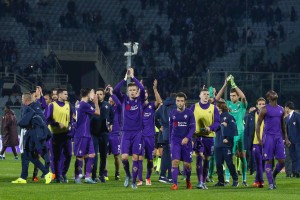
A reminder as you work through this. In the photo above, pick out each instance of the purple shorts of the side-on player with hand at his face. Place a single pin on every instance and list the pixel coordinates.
(83, 146)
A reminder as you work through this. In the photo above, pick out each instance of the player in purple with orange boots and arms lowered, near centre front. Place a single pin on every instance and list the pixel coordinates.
(182, 127)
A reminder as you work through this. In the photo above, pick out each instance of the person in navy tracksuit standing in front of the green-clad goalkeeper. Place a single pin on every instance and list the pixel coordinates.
(223, 144)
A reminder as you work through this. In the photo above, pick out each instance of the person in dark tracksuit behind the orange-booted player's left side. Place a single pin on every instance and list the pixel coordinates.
(162, 114)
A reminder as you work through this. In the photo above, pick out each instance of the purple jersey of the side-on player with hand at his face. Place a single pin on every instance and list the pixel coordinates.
(84, 111)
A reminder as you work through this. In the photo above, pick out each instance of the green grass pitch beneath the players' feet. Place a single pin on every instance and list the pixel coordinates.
(287, 188)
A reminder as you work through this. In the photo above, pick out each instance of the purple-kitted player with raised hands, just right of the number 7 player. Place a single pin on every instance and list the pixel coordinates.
(148, 135)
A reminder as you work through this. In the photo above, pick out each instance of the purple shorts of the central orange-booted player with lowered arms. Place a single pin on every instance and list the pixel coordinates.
(182, 152)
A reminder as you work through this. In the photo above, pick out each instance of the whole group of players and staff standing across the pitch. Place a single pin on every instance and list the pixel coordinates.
(130, 125)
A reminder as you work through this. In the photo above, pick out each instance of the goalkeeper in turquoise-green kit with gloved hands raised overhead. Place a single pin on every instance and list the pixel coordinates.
(237, 110)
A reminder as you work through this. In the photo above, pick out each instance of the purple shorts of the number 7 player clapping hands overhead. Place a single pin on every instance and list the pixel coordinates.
(131, 142)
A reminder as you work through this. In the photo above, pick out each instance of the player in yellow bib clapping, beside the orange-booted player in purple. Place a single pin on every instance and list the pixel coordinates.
(207, 119)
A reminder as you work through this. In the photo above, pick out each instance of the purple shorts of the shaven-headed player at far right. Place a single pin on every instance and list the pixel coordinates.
(273, 146)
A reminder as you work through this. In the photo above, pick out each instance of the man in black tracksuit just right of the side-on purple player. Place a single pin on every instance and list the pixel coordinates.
(99, 130)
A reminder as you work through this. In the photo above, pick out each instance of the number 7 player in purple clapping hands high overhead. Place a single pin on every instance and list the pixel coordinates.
(132, 123)
